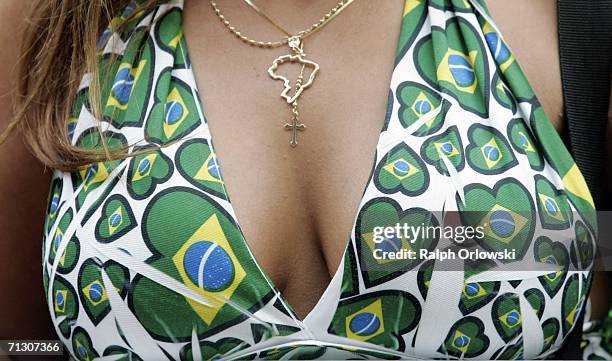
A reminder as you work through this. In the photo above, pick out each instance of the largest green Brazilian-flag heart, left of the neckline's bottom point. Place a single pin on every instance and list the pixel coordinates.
(197, 225)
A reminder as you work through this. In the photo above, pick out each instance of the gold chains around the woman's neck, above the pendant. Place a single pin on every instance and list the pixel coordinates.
(325, 19)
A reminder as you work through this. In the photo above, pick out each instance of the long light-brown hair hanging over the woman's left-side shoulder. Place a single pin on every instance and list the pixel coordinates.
(59, 46)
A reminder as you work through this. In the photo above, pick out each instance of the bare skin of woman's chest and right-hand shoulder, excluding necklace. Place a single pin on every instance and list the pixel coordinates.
(298, 220)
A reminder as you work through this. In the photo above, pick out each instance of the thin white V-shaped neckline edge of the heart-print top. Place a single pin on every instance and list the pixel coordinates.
(380, 140)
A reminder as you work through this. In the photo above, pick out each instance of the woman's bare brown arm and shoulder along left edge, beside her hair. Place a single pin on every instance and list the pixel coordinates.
(23, 192)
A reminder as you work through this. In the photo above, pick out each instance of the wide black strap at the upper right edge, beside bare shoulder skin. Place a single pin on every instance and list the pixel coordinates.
(585, 44)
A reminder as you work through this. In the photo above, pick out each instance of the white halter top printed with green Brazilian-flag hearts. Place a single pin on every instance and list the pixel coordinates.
(144, 258)
